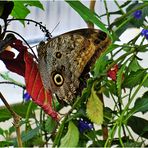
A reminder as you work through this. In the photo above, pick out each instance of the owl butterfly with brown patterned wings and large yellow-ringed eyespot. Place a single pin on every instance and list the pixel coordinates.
(66, 59)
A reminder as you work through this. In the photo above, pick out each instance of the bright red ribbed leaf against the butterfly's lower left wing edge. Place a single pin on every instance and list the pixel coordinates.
(35, 87)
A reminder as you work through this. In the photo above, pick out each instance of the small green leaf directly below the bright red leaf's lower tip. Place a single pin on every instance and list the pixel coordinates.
(50, 124)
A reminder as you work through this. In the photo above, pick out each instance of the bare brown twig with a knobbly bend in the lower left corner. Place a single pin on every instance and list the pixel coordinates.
(16, 121)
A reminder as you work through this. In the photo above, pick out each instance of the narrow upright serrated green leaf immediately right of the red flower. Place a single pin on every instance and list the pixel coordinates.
(120, 78)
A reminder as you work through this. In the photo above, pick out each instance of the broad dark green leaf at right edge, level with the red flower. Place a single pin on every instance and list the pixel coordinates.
(134, 78)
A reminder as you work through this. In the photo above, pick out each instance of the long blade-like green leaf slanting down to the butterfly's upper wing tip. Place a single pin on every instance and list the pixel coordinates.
(87, 14)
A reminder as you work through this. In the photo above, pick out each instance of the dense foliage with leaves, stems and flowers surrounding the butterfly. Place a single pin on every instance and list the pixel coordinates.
(114, 78)
